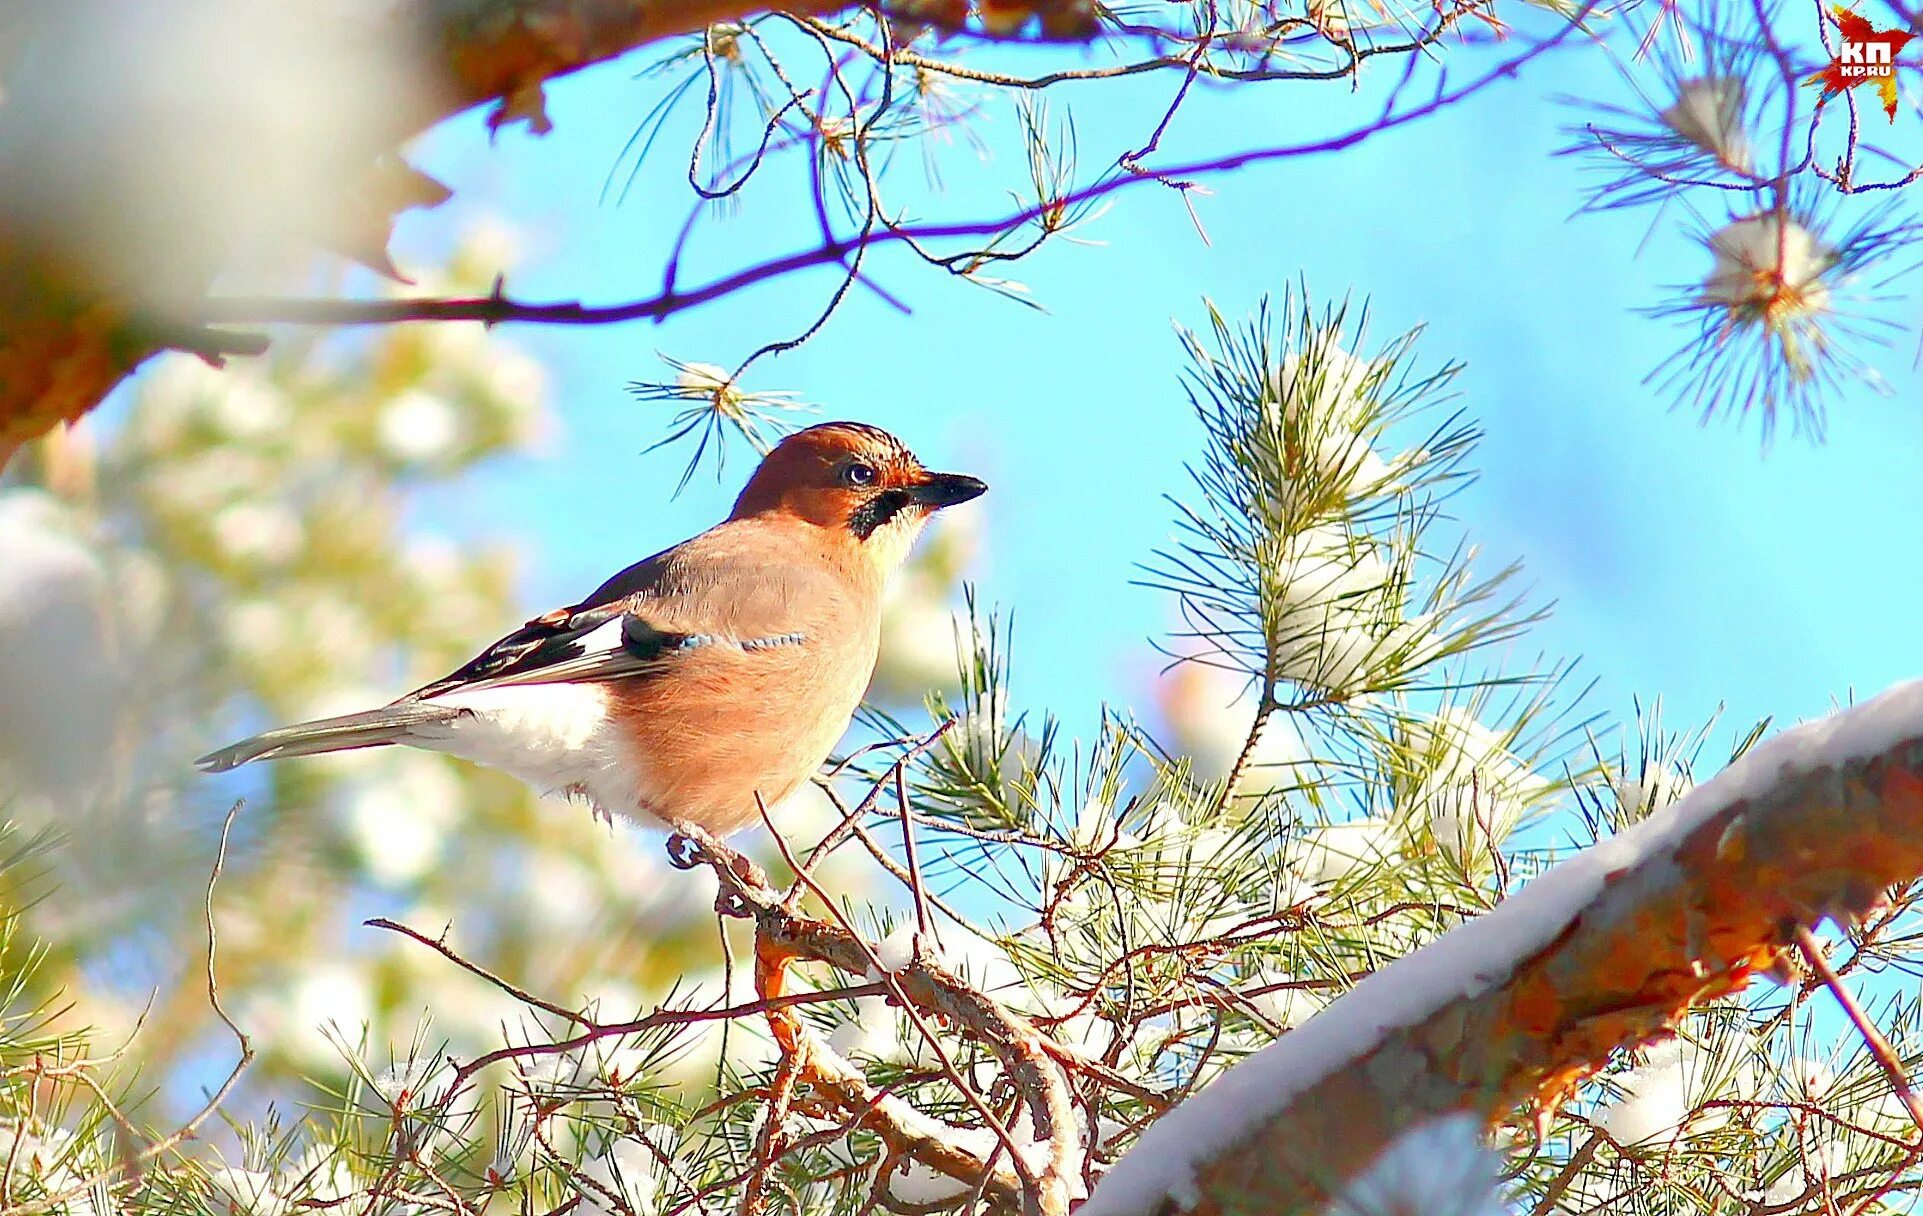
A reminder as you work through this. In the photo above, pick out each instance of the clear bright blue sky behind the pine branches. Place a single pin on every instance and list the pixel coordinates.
(1682, 561)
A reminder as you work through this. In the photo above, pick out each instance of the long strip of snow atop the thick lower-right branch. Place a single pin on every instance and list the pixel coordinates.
(1468, 961)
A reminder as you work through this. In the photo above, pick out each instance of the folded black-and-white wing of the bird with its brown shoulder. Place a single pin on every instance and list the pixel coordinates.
(737, 594)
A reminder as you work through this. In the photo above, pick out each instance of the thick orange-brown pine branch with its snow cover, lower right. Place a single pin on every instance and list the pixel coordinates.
(1603, 951)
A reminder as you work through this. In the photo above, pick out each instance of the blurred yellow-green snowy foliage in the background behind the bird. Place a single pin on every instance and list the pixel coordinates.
(236, 549)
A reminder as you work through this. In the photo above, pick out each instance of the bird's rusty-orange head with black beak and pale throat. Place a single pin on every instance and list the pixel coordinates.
(859, 482)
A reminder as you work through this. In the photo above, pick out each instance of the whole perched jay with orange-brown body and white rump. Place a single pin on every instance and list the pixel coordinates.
(703, 678)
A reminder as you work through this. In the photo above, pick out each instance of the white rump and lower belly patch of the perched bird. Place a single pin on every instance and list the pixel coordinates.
(557, 738)
